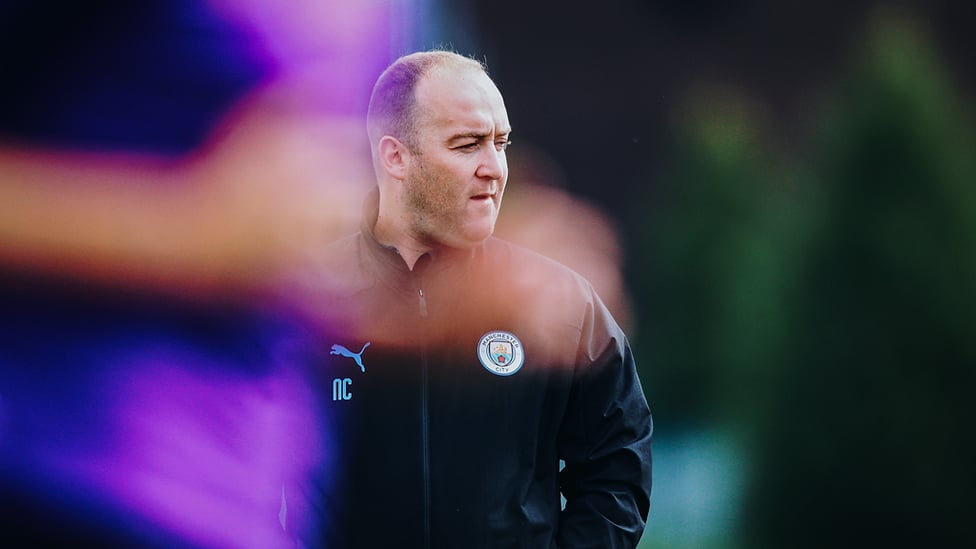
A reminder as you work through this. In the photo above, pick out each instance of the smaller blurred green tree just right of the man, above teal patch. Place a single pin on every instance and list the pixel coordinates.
(719, 251)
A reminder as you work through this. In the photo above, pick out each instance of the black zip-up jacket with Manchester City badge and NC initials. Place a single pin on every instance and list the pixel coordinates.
(454, 391)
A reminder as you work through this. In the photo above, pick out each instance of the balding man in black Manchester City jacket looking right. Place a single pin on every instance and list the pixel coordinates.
(459, 369)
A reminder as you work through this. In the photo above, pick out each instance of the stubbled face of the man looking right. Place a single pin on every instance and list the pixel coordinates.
(456, 178)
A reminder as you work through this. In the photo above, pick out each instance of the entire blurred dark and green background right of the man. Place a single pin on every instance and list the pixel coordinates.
(793, 186)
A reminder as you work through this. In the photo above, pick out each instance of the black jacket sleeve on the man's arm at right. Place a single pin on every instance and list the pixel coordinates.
(605, 442)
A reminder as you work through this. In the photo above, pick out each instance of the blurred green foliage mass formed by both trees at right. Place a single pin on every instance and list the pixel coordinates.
(820, 302)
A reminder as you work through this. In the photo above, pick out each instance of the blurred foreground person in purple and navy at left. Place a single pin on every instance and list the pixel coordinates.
(148, 396)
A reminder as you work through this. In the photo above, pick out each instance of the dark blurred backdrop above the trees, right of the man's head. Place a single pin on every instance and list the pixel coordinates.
(602, 85)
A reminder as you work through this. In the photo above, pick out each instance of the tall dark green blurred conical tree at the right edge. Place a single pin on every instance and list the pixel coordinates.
(869, 441)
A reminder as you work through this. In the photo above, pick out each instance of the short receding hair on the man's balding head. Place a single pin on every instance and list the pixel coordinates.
(393, 105)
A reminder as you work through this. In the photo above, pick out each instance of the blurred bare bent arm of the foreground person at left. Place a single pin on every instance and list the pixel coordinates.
(269, 190)
